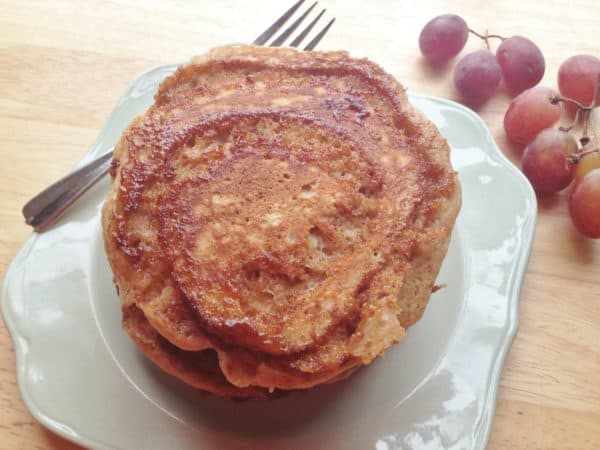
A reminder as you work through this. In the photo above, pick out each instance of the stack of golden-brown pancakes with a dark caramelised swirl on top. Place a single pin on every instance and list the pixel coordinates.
(283, 213)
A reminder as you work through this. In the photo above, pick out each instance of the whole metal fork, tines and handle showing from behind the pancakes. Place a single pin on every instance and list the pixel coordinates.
(46, 207)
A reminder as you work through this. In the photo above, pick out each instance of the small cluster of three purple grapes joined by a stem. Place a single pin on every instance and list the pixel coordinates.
(477, 75)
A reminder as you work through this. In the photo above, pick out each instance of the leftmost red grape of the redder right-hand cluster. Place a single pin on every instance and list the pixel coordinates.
(529, 113)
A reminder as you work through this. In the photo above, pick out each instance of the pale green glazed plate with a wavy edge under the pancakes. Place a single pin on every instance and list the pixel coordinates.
(82, 377)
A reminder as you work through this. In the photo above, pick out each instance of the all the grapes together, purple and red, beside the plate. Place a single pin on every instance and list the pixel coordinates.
(553, 157)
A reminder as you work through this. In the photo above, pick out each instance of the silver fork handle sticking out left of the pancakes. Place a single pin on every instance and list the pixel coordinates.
(47, 206)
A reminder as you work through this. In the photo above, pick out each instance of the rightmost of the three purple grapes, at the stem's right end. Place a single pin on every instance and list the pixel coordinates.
(522, 63)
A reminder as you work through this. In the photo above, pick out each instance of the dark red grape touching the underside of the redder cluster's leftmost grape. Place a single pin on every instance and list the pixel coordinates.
(546, 163)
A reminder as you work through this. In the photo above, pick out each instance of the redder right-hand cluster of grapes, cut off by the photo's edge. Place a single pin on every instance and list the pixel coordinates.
(552, 157)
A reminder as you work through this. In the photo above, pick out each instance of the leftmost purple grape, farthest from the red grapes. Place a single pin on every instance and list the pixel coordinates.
(443, 37)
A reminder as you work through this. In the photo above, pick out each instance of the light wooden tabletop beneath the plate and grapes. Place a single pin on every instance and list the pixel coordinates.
(64, 64)
